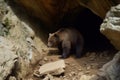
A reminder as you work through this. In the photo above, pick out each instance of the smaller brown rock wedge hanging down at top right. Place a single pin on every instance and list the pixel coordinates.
(99, 7)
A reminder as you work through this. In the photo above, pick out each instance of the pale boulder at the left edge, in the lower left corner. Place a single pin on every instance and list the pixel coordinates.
(7, 59)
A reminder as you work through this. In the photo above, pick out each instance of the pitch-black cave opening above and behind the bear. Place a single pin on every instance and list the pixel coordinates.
(88, 24)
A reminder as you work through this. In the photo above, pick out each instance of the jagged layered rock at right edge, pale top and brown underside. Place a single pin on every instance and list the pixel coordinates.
(111, 26)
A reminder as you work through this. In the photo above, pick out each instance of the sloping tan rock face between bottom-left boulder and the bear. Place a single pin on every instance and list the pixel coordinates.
(23, 42)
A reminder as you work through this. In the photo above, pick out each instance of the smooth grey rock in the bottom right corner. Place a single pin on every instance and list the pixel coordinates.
(109, 71)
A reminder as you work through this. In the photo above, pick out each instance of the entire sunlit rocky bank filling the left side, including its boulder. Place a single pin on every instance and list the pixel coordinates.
(20, 48)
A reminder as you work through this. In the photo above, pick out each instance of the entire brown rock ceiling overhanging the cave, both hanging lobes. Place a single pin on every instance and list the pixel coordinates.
(50, 12)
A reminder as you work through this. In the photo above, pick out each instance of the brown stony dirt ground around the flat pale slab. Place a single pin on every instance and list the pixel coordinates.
(88, 64)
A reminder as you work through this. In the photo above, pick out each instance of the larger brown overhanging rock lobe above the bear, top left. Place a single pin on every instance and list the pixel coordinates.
(48, 11)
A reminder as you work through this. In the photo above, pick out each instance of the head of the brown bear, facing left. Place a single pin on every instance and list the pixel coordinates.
(53, 40)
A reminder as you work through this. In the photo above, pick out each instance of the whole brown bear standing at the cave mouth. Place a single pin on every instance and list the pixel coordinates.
(68, 40)
